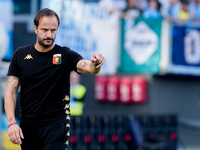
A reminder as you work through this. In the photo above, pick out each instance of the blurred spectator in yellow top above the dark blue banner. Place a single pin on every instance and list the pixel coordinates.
(184, 14)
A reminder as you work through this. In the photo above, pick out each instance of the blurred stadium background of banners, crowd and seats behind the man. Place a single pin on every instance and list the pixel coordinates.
(147, 94)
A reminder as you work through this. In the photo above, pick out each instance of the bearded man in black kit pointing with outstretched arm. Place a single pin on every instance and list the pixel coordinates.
(42, 71)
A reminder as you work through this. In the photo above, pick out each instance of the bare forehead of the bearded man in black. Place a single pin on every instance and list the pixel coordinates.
(48, 21)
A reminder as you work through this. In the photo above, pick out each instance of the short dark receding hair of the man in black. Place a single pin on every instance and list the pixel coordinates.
(45, 12)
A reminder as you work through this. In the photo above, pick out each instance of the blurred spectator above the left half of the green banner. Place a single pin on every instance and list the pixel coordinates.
(131, 11)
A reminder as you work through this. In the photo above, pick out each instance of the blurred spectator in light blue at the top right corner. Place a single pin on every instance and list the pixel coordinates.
(194, 10)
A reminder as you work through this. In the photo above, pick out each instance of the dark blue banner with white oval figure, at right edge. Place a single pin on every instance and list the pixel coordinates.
(185, 50)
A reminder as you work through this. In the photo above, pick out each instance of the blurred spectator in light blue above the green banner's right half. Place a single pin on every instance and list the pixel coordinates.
(152, 10)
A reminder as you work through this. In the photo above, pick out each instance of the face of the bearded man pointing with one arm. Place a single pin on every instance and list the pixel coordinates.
(46, 31)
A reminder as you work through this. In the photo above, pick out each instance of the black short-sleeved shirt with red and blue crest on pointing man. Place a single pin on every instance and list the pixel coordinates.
(44, 83)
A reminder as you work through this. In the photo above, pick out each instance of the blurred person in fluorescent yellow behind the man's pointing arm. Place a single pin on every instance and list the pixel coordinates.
(77, 95)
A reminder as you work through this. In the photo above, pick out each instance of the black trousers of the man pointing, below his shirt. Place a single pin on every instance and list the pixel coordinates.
(51, 137)
